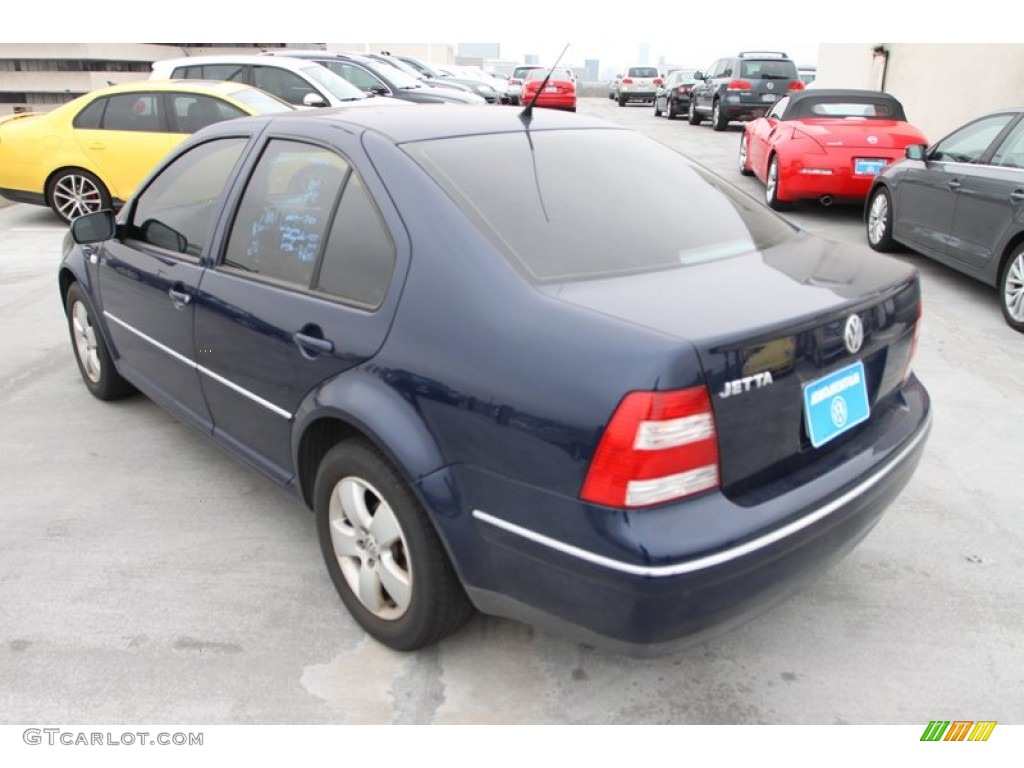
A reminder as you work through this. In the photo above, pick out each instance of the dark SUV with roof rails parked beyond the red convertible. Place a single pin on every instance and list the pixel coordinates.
(742, 88)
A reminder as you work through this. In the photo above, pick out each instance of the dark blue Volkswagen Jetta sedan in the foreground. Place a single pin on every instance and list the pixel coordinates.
(458, 340)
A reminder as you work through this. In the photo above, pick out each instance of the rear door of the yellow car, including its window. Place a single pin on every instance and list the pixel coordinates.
(133, 137)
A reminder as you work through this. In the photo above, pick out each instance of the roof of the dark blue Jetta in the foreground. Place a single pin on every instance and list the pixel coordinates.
(433, 121)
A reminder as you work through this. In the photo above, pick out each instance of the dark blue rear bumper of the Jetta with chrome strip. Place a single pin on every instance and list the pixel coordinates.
(645, 602)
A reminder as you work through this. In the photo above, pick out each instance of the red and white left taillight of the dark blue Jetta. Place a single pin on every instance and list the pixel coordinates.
(657, 448)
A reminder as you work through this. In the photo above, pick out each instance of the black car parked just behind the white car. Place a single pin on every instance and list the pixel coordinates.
(380, 78)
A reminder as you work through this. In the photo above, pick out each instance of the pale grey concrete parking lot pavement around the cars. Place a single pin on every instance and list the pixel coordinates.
(146, 576)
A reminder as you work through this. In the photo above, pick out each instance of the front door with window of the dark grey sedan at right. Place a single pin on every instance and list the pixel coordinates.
(925, 208)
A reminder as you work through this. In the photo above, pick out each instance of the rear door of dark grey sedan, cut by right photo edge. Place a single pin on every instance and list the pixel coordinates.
(990, 201)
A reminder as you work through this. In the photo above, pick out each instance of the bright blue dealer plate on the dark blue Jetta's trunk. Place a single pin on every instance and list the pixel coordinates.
(836, 404)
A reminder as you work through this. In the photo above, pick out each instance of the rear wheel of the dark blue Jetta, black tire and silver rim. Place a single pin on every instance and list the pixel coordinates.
(375, 535)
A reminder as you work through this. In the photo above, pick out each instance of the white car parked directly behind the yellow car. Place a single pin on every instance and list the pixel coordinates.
(296, 81)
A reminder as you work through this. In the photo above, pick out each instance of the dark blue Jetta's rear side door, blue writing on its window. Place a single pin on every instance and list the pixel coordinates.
(296, 297)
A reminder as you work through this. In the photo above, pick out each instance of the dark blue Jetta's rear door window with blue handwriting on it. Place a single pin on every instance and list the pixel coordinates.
(285, 212)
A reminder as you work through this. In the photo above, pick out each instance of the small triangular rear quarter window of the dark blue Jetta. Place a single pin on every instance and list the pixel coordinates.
(360, 255)
